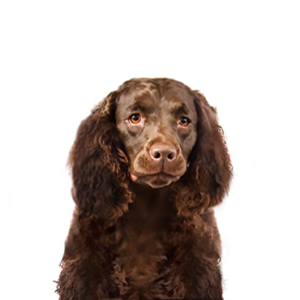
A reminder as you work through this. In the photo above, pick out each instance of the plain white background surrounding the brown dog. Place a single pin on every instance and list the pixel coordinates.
(60, 58)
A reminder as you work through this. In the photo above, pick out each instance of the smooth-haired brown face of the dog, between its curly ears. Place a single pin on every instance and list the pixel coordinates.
(158, 129)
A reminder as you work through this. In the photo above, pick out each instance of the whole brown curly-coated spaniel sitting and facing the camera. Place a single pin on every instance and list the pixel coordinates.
(148, 165)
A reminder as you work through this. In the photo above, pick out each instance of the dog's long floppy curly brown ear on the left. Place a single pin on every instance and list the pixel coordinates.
(99, 165)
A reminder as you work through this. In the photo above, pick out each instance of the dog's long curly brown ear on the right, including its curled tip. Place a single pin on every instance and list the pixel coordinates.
(207, 179)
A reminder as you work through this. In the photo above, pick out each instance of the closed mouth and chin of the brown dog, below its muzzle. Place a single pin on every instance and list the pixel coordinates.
(156, 180)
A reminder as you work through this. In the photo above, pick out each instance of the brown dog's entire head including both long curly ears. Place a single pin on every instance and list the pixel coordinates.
(154, 132)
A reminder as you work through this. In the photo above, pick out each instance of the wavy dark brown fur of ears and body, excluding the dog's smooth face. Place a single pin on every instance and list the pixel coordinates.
(102, 259)
